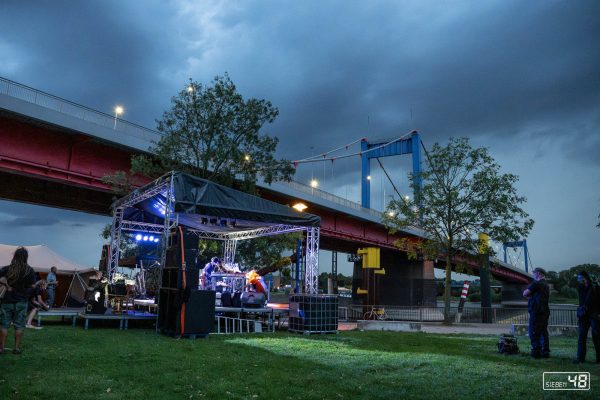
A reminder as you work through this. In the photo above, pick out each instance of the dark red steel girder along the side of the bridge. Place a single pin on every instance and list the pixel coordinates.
(71, 159)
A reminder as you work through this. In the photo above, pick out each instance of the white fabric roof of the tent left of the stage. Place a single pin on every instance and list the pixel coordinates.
(42, 258)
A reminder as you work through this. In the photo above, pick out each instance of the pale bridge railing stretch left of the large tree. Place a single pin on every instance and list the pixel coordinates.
(42, 99)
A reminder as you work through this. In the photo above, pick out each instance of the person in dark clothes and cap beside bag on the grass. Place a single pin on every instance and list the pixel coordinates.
(538, 293)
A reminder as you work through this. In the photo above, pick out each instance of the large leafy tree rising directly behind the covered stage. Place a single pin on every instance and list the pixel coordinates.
(213, 132)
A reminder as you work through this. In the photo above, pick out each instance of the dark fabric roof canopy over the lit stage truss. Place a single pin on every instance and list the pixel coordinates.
(205, 206)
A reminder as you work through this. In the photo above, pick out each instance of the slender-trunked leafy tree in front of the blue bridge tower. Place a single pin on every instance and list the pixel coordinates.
(463, 193)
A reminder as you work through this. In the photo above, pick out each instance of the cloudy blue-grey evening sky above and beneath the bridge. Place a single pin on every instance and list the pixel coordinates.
(520, 78)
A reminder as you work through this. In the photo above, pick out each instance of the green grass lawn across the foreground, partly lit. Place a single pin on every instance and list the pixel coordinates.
(62, 362)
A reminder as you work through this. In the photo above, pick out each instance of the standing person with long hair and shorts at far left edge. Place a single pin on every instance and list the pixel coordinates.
(19, 278)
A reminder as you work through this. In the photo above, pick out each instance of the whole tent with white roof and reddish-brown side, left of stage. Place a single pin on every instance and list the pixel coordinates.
(71, 276)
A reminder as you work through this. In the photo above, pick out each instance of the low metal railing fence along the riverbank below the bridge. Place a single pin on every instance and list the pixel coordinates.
(503, 316)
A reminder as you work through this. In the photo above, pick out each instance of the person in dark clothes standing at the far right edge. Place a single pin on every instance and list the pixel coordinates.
(587, 316)
